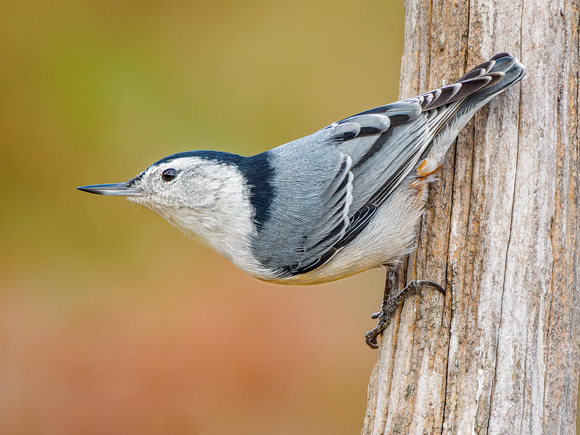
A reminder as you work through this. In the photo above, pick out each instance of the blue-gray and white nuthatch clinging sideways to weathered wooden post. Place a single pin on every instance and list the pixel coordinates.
(343, 200)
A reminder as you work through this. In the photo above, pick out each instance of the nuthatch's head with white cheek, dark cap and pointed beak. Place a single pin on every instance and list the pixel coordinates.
(199, 192)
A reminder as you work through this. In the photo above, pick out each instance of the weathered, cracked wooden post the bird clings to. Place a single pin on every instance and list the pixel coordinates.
(500, 353)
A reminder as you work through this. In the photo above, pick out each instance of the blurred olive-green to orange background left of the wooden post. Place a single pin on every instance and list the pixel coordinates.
(111, 320)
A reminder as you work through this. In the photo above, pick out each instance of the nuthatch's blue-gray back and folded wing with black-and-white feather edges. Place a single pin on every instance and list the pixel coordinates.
(328, 186)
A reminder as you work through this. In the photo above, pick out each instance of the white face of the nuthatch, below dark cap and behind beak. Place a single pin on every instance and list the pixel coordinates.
(206, 199)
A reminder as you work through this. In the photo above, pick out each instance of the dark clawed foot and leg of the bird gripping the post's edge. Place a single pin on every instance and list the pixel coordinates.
(390, 304)
